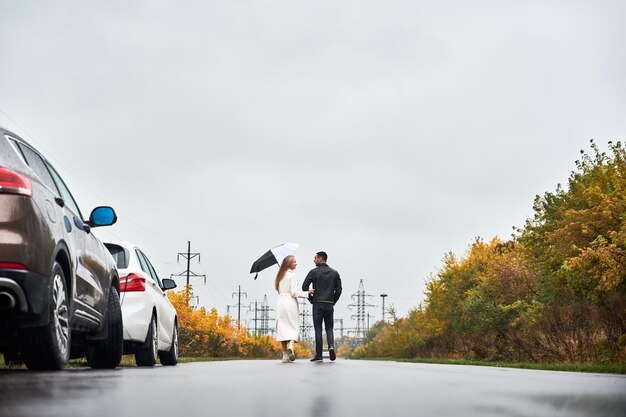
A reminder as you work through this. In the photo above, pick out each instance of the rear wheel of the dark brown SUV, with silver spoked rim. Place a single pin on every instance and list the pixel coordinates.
(48, 347)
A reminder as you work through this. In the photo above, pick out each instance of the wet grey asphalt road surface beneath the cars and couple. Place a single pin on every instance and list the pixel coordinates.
(344, 388)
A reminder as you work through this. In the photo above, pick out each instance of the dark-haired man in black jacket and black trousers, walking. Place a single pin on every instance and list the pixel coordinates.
(327, 285)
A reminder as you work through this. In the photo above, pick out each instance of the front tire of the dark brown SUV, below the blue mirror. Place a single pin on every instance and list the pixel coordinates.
(107, 353)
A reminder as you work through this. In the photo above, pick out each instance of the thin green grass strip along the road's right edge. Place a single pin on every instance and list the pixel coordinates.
(565, 367)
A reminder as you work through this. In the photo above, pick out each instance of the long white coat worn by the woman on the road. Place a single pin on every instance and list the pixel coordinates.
(287, 309)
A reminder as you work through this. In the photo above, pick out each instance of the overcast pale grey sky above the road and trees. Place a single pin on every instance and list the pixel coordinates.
(385, 133)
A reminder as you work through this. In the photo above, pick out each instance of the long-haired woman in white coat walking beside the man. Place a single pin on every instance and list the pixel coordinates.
(287, 309)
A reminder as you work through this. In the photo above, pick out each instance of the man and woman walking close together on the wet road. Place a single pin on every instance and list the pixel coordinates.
(323, 295)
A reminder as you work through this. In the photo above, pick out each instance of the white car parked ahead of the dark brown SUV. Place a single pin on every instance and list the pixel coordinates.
(150, 321)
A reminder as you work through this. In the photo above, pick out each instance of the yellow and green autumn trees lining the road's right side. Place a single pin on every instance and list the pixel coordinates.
(554, 293)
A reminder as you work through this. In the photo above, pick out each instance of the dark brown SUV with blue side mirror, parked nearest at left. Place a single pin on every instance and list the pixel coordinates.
(59, 288)
